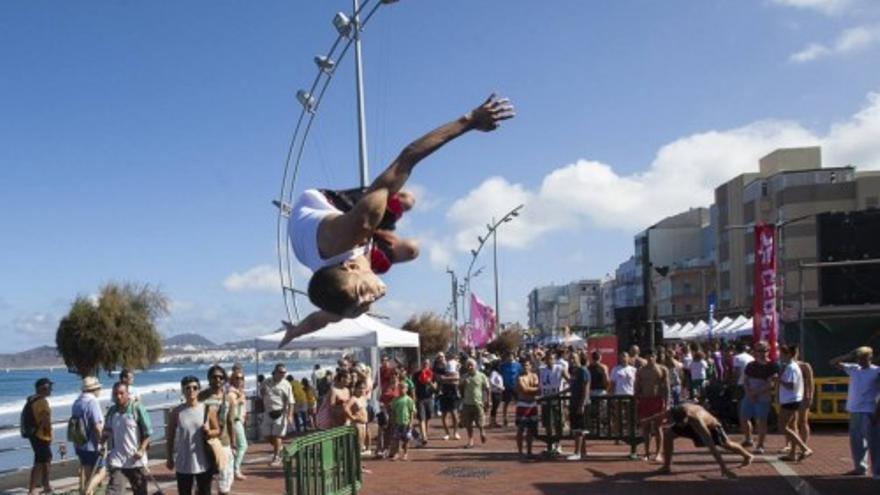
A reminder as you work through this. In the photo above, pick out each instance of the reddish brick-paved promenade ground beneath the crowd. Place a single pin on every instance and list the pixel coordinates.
(494, 468)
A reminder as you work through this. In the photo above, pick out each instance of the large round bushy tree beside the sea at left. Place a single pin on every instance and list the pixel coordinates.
(116, 329)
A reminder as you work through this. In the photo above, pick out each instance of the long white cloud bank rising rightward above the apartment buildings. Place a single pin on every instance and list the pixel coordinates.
(683, 174)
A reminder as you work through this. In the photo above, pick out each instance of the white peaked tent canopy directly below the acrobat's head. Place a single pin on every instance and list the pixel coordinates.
(361, 332)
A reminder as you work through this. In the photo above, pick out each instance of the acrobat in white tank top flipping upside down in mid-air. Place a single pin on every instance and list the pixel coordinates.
(346, 237)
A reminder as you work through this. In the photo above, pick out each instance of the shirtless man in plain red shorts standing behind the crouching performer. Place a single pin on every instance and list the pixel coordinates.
(652, 392)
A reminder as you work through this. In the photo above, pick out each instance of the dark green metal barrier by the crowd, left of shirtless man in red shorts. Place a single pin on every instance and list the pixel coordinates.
(609, 417)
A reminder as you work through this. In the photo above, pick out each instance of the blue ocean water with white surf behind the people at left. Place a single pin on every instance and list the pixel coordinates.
(157, 388)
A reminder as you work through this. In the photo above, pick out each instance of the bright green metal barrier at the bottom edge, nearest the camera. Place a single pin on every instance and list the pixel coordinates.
(323, 463)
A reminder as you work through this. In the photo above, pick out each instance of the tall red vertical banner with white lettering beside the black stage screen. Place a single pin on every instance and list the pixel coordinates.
(765, 318)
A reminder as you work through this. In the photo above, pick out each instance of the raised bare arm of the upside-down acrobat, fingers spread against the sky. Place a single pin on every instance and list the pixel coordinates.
(357, 225)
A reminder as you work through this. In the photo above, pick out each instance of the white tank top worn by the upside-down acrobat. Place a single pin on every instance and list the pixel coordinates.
(307, 214)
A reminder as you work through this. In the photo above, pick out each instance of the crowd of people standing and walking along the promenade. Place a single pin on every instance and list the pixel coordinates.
(682, 390)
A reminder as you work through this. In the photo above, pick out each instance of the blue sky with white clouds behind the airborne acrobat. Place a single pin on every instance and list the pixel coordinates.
(143, 141)
